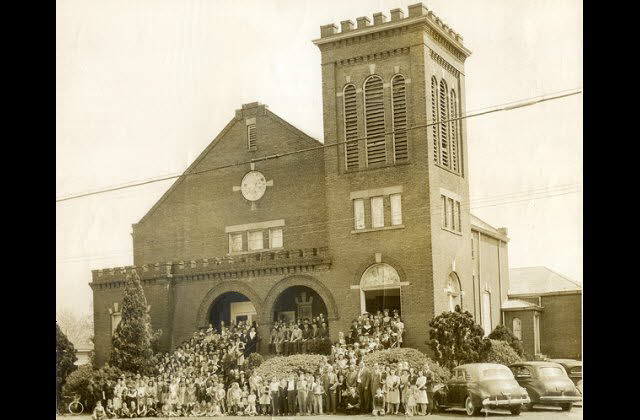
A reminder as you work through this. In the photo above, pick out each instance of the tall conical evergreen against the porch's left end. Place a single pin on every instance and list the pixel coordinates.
(132, 341)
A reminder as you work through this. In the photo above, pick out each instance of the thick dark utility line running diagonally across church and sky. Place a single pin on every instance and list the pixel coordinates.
(498, 108)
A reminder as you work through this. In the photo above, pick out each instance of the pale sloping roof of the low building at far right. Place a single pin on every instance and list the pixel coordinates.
(539, 281)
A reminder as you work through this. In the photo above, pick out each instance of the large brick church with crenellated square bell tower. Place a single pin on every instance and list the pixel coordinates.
(376, 216)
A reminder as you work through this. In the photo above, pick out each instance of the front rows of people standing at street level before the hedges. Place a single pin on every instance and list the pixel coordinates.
(379, 390)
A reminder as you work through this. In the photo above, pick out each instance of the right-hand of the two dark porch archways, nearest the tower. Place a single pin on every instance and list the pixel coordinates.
(297, 303)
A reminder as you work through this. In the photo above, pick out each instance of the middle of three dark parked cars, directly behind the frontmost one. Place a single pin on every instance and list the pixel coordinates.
(546, 383)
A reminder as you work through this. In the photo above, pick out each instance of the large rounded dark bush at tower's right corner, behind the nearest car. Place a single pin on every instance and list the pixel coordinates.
(455, 339)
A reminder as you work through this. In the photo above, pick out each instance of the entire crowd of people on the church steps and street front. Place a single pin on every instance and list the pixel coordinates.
(206, 376)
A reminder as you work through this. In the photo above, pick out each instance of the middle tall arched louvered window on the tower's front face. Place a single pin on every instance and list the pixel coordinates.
(374, 120)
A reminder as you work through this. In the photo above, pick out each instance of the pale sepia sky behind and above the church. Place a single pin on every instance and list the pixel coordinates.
(144, 86)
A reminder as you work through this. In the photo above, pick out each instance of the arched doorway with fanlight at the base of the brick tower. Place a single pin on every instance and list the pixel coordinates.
(380, 289)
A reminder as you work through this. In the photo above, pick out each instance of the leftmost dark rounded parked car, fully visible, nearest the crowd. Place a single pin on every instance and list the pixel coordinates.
(481, 385)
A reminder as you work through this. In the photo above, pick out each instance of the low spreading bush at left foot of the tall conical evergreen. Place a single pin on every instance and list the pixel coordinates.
(88, 383)
